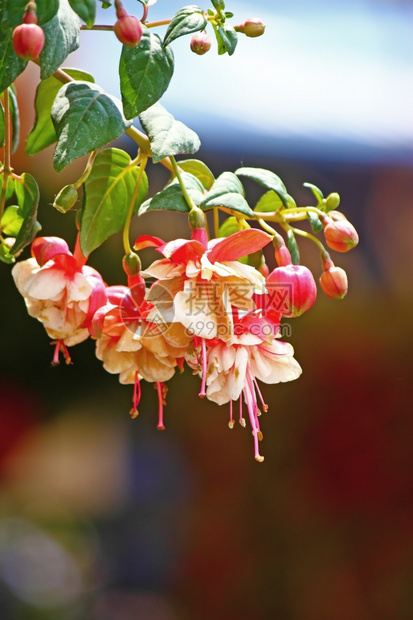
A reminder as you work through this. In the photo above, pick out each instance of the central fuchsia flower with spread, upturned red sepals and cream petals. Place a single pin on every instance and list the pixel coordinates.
(199, 282)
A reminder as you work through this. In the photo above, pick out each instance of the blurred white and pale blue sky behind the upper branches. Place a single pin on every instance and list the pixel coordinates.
(328, 78)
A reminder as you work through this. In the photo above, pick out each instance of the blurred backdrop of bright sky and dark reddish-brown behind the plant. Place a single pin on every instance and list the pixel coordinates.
(105, 518)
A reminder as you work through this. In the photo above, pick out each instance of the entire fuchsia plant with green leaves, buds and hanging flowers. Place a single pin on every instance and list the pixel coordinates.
(210, 302)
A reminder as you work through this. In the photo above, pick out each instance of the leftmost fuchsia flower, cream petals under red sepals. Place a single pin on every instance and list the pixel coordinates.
(60, 291)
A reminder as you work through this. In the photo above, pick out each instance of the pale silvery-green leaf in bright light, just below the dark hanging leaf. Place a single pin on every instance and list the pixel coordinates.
(167, 136)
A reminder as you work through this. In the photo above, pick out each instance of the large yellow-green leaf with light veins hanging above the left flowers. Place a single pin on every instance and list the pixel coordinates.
(108, 192)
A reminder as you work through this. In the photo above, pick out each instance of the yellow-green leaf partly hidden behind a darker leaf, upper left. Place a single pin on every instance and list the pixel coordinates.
(43, 133)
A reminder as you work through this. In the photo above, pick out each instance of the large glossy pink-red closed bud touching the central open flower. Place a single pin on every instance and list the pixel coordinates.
(291, 290)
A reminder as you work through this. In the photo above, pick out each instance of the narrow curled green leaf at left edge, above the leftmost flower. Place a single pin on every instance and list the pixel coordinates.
(27, 193)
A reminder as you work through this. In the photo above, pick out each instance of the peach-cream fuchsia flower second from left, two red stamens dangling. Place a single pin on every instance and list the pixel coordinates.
(135, 348)
